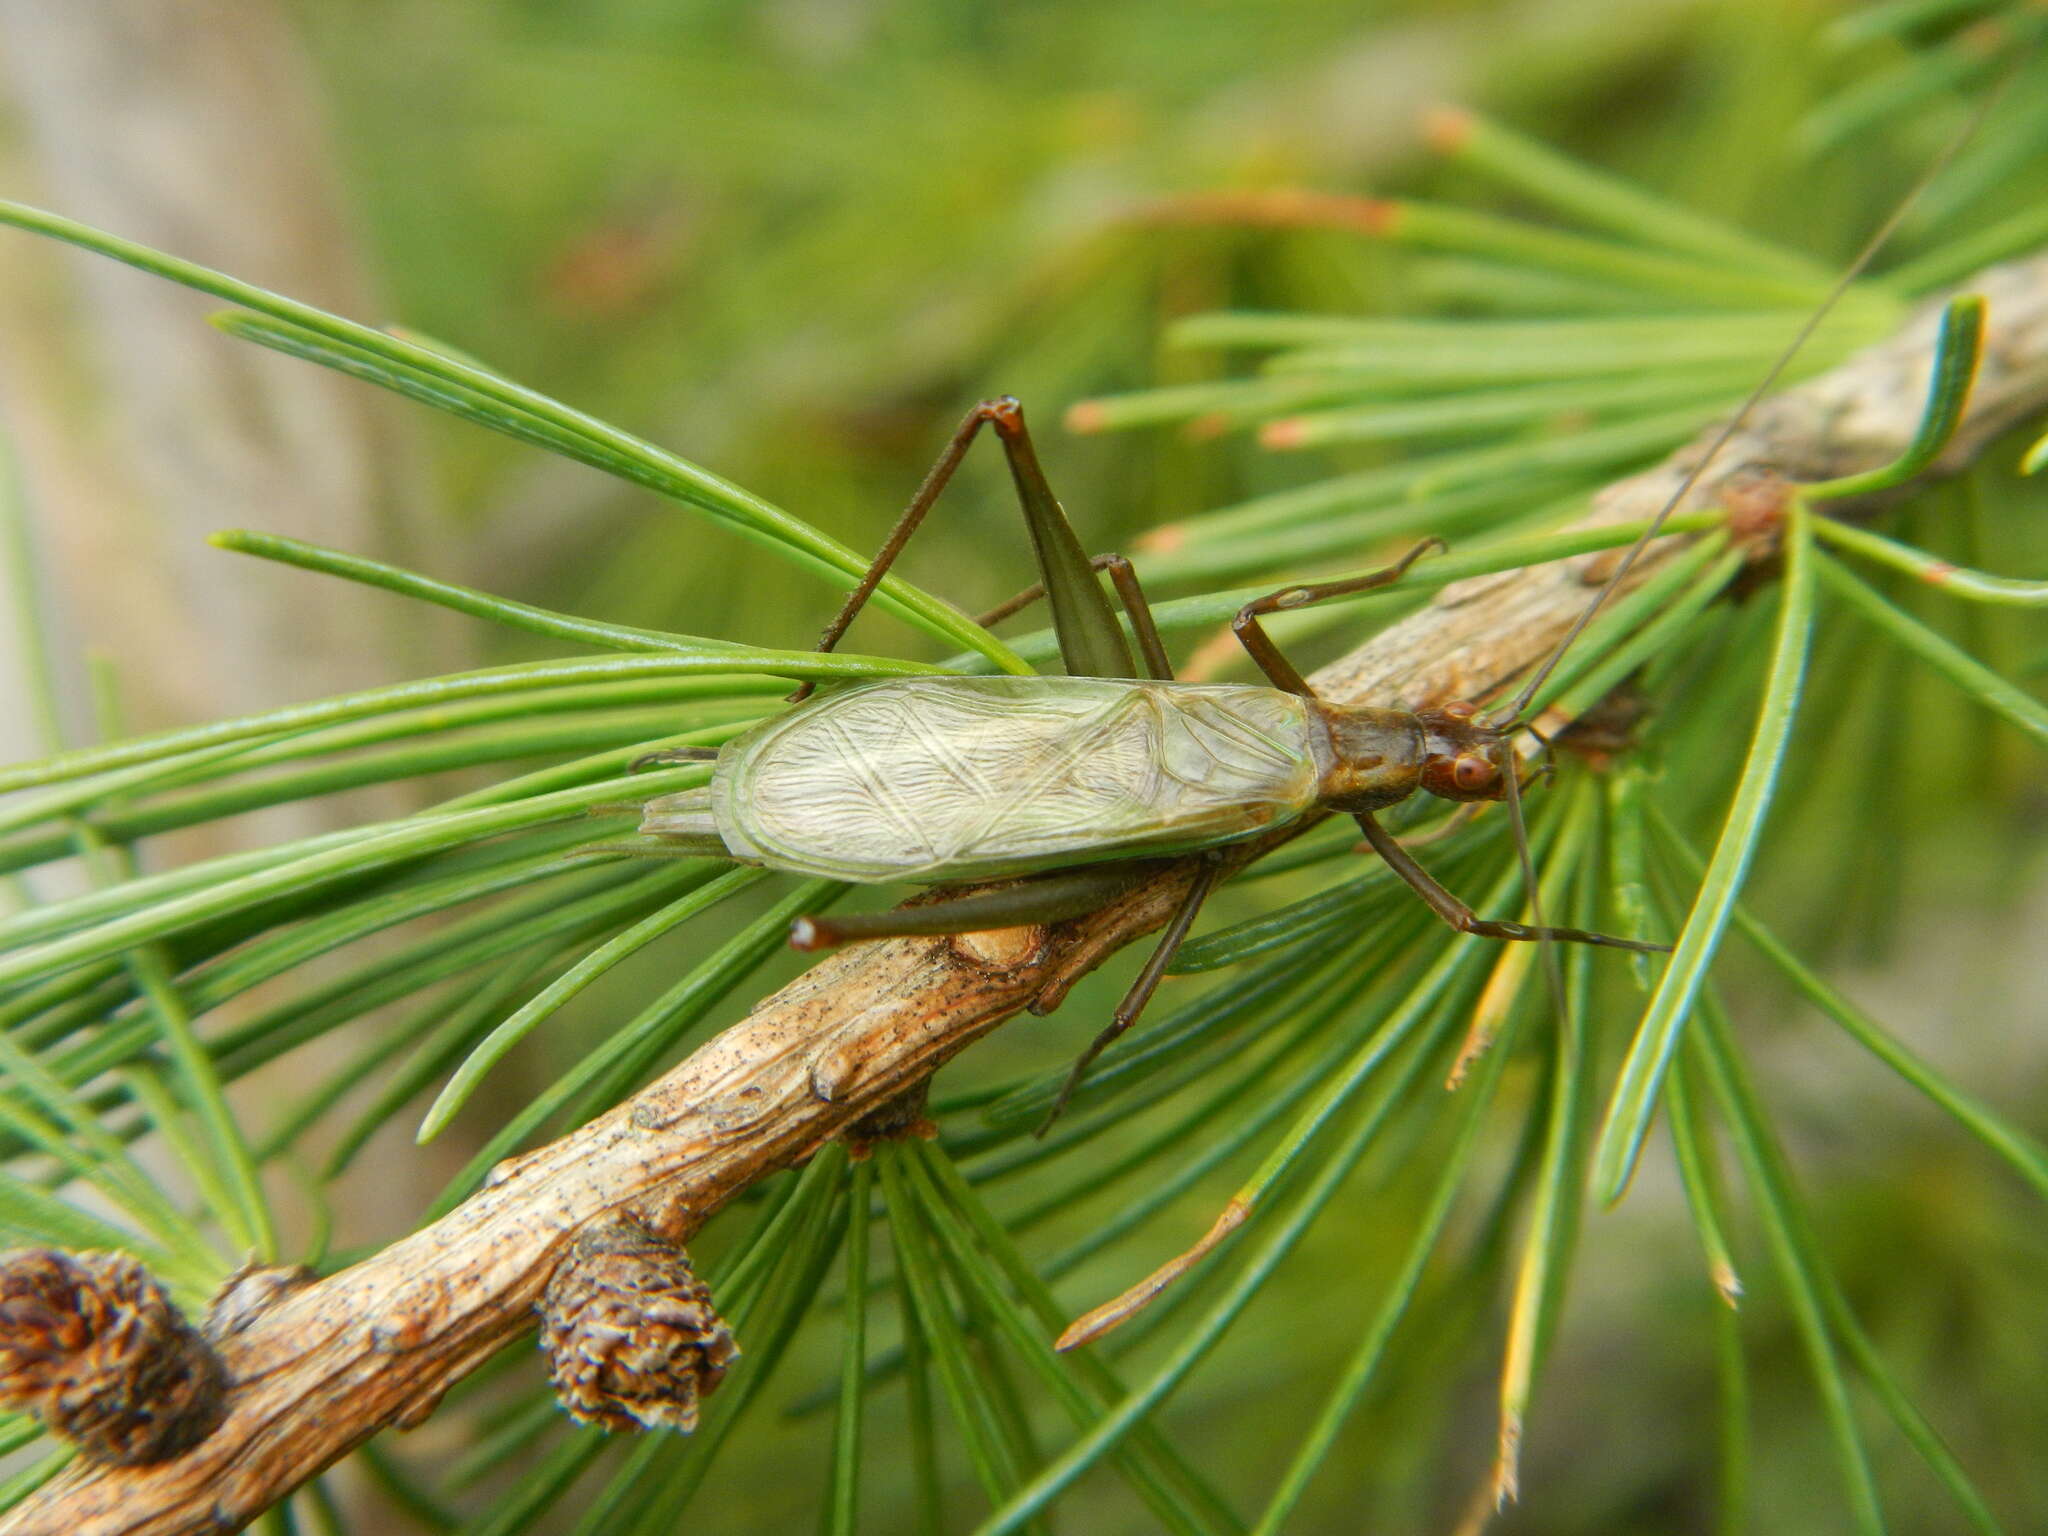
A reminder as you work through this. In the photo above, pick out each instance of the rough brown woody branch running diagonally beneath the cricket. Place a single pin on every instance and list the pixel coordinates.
(331, 1363)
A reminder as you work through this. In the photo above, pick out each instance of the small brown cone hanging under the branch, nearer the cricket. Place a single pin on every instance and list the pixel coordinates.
(630, 1332)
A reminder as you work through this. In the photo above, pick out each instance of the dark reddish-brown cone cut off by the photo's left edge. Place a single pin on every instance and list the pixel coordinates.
(93, 1349)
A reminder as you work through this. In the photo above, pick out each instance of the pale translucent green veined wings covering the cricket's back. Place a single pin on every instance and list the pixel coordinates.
(949, 779)
